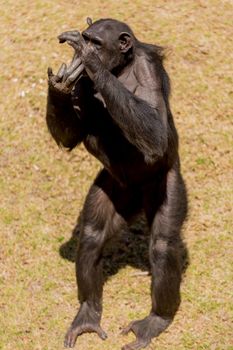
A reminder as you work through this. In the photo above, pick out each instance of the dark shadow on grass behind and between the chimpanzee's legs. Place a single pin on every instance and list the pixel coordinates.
(128, 248)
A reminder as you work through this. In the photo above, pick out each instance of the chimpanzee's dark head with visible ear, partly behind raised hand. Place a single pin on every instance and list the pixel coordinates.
(113, 39)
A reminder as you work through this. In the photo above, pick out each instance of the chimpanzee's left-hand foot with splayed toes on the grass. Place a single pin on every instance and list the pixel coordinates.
(86, 321)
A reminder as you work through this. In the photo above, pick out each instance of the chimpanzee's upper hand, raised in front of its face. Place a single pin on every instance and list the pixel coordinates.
(86, 51)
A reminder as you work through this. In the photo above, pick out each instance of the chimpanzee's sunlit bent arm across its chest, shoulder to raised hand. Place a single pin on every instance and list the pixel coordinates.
(142, 120)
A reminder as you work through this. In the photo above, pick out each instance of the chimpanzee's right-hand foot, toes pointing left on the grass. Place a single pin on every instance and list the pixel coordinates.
(145, 330)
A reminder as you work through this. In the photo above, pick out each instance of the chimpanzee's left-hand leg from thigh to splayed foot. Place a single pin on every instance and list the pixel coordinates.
(100, 221)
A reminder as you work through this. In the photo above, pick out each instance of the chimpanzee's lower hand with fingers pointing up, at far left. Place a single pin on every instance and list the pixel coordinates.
(66, 77)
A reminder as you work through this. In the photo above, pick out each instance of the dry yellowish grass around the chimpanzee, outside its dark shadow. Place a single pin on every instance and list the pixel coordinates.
(42, 189)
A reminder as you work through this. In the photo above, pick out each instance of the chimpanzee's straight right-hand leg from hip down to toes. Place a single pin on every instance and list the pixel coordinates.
(169, 204)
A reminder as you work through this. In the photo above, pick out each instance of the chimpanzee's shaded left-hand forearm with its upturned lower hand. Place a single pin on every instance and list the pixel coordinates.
(64, 123)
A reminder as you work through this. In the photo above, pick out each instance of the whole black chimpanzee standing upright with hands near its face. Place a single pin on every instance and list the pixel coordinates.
(114, 97)
